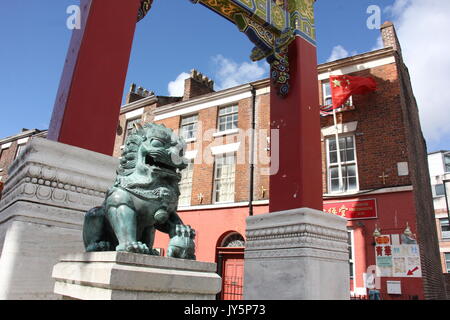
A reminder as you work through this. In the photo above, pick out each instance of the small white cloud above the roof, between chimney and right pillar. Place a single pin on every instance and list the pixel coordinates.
(229, 73)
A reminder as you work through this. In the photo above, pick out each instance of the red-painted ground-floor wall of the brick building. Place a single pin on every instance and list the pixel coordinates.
(393, 211)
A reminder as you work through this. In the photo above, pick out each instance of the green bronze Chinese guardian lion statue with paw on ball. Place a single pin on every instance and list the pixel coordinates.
(143, 198)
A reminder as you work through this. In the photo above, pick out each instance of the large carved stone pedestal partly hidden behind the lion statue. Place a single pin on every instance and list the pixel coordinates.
(50, 187)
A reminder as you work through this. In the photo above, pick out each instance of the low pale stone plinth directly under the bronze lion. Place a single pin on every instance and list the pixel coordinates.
(129, 276)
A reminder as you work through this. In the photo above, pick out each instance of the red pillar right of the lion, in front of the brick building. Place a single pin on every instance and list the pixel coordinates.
(298, 182)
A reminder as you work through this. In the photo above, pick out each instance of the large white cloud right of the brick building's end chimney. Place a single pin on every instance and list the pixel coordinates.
(422, 27)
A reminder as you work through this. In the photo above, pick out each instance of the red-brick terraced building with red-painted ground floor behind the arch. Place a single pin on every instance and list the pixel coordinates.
(383, 165)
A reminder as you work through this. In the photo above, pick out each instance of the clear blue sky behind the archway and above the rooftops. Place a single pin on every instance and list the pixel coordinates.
(174, 38)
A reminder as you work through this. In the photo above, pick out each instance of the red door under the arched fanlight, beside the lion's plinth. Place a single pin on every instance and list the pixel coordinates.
(232, 276)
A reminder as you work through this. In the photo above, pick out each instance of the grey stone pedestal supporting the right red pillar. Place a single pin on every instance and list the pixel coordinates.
(299, 254)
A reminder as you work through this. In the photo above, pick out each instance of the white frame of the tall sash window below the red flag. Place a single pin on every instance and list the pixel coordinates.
(343, 164)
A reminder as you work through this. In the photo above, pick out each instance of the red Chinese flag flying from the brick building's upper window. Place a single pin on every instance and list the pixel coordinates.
(343, 87)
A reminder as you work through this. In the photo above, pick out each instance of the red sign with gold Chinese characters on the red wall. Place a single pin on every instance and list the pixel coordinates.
(352, 209)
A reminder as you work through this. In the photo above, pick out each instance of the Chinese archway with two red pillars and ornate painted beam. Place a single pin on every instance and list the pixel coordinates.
(88, 102)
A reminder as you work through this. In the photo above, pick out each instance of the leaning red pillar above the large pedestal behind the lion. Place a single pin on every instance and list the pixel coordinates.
(87, 106)
